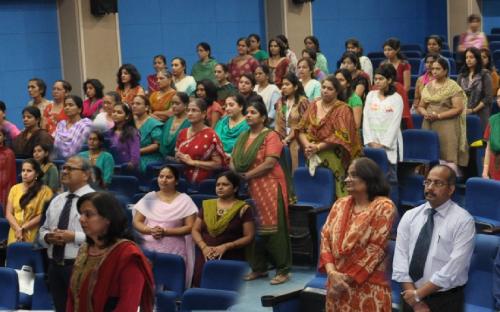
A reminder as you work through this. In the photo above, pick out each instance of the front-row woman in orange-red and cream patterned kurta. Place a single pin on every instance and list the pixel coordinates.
(354, 240)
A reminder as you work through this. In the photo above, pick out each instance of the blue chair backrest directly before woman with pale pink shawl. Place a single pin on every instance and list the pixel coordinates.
(169, 271)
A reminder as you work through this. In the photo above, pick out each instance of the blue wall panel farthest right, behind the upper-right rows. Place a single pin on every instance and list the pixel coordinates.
(372, 22)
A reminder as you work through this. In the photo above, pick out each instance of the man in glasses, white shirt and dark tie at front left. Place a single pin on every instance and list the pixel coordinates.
(61, 231)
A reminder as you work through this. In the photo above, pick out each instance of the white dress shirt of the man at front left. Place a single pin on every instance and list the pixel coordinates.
(52, 219)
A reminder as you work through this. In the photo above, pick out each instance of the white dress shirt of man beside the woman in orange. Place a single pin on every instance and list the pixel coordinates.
(450, 251)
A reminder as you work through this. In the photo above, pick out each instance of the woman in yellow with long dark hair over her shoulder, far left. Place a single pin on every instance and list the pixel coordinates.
(25, 203)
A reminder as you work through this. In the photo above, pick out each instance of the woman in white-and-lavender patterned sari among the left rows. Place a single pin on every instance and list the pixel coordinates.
(73, 132)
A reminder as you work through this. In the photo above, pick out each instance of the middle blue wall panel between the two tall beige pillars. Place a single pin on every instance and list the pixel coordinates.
(174, 27)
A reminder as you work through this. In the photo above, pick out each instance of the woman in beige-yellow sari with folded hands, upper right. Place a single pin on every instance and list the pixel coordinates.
(442, 106)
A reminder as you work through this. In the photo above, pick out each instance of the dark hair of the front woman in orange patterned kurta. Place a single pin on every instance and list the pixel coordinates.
(374, 178)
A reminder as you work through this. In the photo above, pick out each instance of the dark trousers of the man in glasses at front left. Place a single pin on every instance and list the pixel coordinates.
(59, 276)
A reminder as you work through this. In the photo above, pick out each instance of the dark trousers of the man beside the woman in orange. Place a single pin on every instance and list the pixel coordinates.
(450, 301)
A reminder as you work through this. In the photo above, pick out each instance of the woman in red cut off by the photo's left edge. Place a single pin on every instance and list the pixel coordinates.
(8, 174)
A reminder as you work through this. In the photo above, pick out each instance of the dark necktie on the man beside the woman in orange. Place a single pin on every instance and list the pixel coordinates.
(417, 263)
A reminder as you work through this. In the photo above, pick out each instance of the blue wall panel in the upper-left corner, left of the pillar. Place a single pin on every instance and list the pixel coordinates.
(29, 48)
